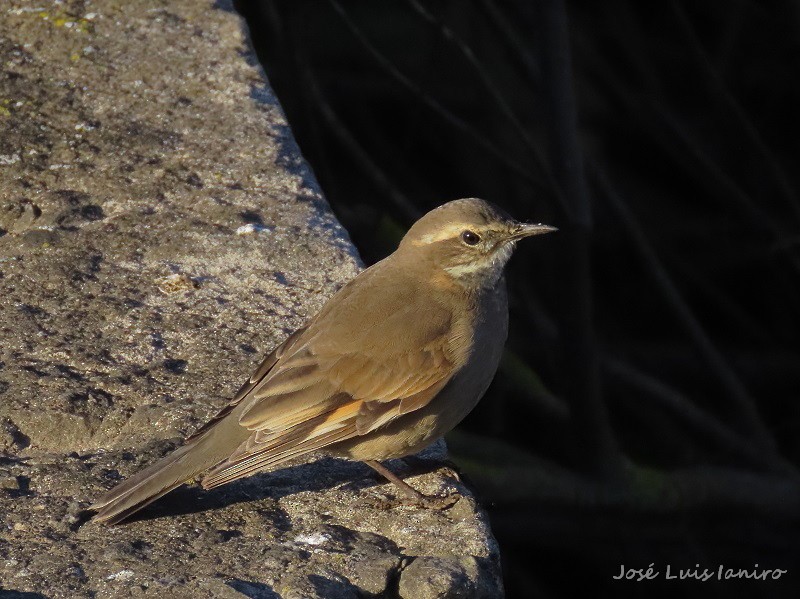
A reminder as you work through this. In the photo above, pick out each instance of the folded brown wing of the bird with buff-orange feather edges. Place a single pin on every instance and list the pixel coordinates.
(325, 391)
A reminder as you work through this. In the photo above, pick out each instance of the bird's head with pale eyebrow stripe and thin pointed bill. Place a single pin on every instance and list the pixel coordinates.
(470, 239)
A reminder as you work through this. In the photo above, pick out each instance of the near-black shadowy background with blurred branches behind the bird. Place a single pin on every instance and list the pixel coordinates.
(647, 408)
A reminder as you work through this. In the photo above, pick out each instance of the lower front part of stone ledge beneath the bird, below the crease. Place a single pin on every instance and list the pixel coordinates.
(325, 529)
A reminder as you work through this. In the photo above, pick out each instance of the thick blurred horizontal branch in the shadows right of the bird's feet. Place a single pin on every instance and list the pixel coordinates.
(527, 479)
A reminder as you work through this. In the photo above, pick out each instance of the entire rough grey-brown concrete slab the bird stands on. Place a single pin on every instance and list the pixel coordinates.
(160, 233)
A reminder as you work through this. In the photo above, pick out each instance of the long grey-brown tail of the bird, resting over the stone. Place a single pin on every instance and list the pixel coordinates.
(198, 455)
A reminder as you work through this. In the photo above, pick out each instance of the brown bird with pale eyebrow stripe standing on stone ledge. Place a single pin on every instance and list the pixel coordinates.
(394, 360)
